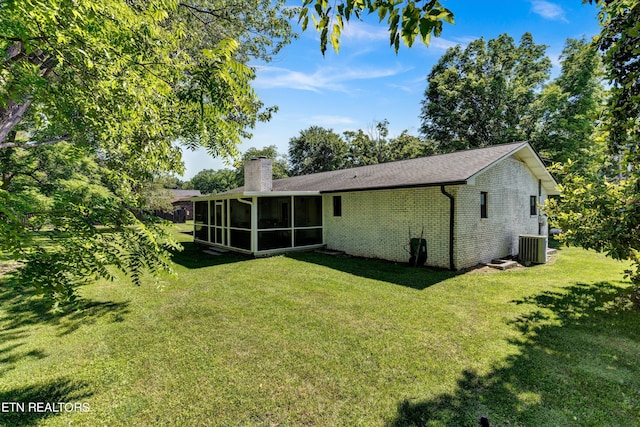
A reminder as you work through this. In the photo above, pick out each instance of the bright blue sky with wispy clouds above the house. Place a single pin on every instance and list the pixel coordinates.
(367, 82)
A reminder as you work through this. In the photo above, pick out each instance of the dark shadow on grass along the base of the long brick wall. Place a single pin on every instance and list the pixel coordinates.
(400, 274)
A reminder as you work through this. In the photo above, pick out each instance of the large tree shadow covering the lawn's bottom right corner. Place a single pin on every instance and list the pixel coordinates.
(577, 365)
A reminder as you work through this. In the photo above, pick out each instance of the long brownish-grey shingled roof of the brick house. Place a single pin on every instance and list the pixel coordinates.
(442, 169)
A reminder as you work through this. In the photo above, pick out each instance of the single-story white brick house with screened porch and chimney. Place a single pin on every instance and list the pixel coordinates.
(469, 206)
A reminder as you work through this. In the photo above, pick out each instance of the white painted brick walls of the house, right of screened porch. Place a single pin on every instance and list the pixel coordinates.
(379, 224)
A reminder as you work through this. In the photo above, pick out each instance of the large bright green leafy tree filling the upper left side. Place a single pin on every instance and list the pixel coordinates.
(120, 80)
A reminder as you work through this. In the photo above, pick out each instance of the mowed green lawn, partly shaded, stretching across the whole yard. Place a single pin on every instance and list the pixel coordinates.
(310, 339)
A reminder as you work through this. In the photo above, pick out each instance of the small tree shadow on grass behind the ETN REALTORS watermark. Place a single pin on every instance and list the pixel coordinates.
(21, 402)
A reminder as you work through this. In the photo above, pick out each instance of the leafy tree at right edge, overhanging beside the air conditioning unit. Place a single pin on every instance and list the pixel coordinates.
(601, 211)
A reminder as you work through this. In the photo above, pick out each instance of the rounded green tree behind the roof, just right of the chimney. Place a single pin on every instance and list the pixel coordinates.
(316, 149)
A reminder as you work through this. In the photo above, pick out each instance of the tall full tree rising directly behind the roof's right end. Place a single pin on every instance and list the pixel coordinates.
(481, 95)
